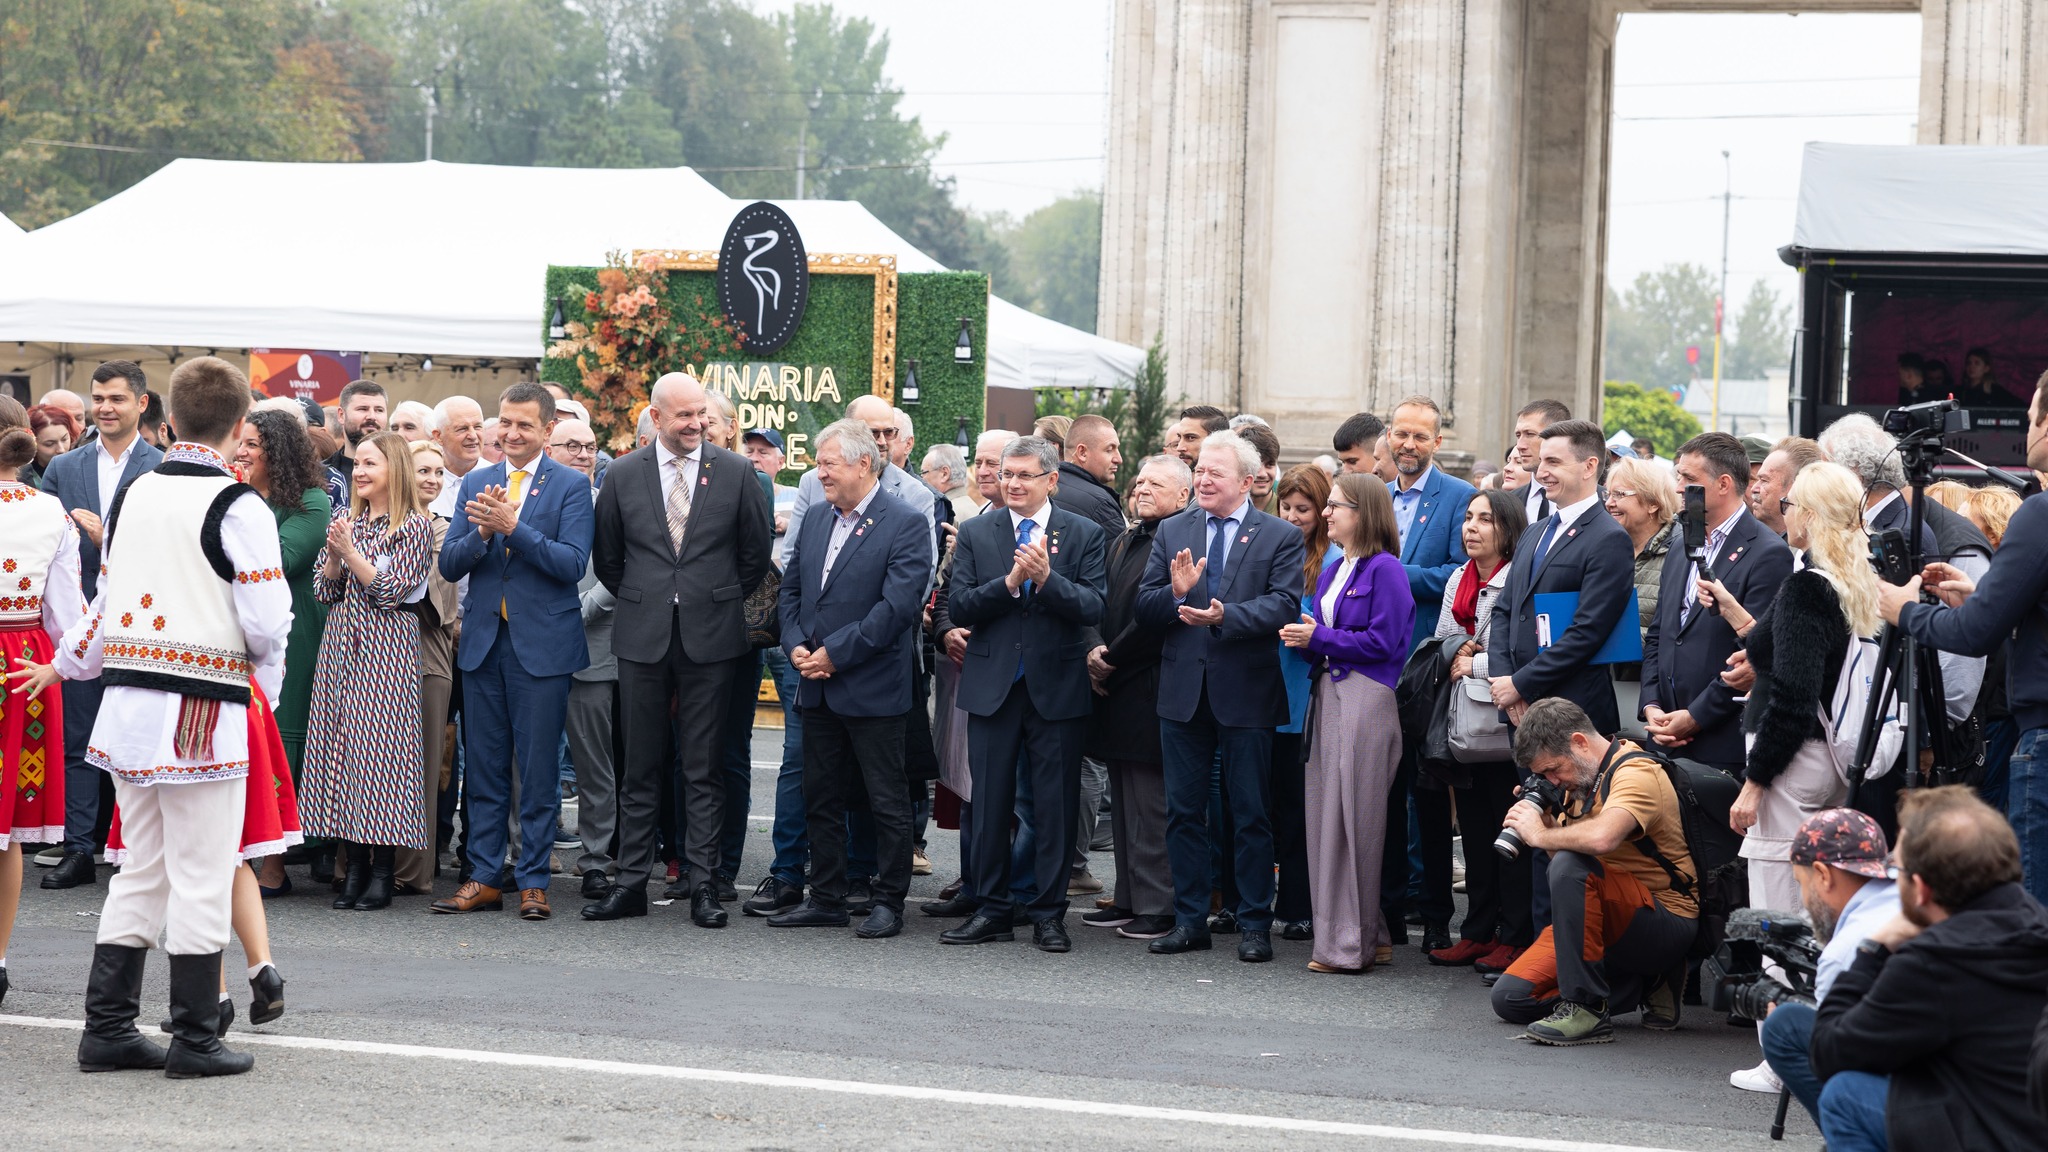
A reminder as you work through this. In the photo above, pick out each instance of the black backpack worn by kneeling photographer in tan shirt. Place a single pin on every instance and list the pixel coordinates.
(1705, 796)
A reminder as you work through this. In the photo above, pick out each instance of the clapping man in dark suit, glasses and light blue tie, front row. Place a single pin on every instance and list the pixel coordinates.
(1027, 583)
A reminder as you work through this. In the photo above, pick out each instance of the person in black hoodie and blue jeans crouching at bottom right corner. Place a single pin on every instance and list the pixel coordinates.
(1924, 1040)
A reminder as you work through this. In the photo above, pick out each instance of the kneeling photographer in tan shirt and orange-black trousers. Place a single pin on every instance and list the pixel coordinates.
(1619, 930)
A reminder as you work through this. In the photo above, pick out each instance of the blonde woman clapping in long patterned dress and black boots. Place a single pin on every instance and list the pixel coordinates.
(364, 778)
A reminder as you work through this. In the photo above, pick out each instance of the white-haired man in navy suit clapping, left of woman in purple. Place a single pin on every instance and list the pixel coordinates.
(1222, 579)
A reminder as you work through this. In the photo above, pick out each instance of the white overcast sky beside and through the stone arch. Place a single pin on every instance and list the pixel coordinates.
(1025, 85)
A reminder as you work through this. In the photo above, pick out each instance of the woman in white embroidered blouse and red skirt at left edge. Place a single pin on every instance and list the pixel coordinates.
(40, 598)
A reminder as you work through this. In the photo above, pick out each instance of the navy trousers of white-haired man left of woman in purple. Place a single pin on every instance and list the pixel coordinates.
(1189, 751)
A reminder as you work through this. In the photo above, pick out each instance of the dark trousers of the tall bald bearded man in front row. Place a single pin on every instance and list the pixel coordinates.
(675, 721)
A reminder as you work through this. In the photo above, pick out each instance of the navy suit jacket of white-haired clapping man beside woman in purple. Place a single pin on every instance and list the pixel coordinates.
(1240, 659)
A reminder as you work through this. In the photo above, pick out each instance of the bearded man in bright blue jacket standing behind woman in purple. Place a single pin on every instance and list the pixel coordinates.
(1431, 516)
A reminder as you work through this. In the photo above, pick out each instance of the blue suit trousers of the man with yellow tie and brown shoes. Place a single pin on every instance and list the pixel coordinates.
(513, 725)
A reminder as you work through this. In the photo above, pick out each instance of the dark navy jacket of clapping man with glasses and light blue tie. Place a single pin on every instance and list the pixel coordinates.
(1046, 628)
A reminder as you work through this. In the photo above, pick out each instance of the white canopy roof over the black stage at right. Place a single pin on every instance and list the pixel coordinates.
(1949, 200)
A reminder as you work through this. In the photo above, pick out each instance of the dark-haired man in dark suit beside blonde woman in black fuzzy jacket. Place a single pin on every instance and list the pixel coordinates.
(1684, 702)
